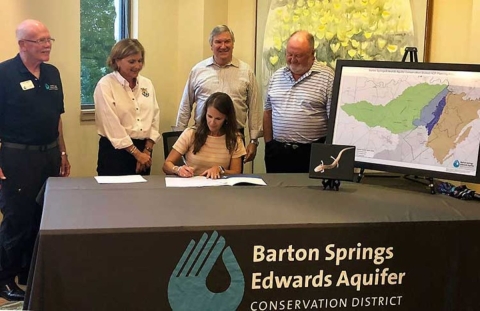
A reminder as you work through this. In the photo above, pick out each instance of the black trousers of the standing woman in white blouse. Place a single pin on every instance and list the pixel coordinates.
(116, 162)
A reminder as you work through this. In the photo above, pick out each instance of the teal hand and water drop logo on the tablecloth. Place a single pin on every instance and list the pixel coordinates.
(187, 288)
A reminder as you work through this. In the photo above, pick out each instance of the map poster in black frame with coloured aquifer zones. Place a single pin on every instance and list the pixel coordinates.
(412, 118)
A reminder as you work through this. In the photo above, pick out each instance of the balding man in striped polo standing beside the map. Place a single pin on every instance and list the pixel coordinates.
(297, 107)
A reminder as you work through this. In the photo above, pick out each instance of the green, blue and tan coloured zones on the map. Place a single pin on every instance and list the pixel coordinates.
(445, 115)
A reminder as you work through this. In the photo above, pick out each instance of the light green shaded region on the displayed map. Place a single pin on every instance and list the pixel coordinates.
(397, 115)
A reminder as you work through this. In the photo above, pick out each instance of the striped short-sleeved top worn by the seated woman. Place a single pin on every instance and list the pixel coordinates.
(213, 153)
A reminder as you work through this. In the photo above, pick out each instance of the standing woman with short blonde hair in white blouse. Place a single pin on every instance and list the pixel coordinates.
(126, 113)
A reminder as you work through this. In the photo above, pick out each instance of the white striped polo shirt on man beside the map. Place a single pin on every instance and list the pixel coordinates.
(300, 108)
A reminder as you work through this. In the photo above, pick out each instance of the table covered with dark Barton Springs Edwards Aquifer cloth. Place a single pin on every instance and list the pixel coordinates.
(288, 245)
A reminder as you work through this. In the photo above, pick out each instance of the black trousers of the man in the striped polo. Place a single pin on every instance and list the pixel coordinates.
(288, 157)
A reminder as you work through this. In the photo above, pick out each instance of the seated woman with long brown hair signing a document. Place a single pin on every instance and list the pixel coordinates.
(214, 148)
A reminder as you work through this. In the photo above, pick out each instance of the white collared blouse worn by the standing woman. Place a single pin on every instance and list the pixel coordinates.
(122, 113)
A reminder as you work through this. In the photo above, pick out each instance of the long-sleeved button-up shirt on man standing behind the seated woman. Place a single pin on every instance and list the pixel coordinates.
(236, 79)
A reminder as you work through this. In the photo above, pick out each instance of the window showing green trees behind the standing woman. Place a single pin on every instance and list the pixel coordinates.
(102, 23)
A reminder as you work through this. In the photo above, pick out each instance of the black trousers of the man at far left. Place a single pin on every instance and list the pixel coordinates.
(26, 172)
